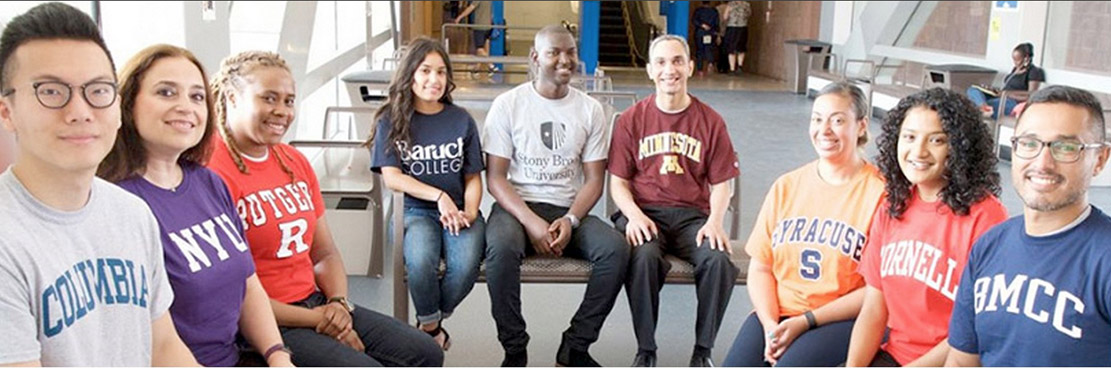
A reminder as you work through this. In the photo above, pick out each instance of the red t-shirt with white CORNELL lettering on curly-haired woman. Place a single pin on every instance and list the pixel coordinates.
(917, 262)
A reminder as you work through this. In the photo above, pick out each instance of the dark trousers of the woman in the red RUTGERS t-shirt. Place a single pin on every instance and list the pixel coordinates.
(389, 343)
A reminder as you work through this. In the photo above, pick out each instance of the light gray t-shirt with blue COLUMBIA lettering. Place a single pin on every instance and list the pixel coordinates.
(79, 289)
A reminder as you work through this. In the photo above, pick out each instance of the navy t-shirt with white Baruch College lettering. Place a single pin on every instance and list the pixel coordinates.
(444, 148)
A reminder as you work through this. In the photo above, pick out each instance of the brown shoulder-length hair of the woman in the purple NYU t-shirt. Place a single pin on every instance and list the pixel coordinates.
(129, 156)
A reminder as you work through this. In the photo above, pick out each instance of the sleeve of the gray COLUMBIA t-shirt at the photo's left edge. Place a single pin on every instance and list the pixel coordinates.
(19, 330)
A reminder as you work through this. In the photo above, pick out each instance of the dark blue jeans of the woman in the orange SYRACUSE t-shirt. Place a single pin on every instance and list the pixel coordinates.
(825, 346)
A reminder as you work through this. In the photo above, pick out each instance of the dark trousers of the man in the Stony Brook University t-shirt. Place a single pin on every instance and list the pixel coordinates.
(507, 246)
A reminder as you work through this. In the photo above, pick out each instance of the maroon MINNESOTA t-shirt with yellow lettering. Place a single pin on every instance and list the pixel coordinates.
(672, 160)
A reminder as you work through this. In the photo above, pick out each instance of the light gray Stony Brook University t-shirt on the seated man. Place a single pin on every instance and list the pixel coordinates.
(547, 142)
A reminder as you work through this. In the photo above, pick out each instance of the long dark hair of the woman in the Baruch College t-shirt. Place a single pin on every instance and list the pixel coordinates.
(399, 104)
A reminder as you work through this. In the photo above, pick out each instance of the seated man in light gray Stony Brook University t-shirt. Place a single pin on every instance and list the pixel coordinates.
(546, 147)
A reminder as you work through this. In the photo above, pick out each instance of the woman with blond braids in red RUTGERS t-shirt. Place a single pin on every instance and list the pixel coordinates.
(279, 202)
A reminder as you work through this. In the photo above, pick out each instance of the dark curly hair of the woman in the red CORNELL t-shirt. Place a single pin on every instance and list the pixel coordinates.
(970, 171)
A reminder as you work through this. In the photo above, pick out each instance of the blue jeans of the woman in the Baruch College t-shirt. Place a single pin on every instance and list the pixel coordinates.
(426, 243)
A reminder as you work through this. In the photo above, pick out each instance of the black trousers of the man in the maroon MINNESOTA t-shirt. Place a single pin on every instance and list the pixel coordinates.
(715, 275)
